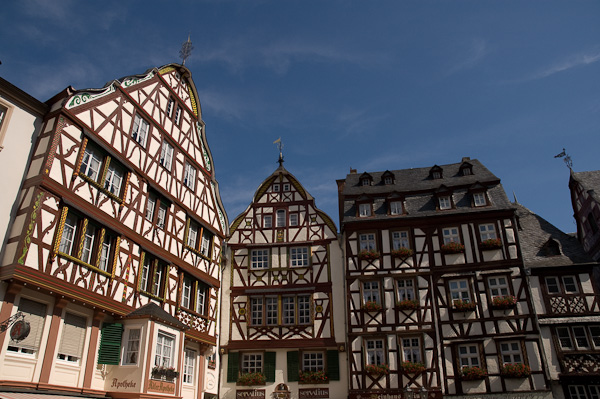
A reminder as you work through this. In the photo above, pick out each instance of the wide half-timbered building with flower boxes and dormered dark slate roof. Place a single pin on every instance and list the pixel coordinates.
(437, 301)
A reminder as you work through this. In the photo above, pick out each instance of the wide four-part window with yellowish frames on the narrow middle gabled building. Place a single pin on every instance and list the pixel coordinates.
(295, 310)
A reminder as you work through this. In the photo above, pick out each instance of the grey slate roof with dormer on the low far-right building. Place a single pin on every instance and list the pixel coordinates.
(543, 244)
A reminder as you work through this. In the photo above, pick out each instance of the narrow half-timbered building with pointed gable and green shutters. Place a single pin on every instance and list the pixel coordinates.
(283, 305)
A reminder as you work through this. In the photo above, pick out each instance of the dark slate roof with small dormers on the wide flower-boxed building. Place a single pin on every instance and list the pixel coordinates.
(418, 189)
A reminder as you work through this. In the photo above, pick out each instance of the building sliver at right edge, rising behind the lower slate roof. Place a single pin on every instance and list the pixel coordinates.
(585, 198)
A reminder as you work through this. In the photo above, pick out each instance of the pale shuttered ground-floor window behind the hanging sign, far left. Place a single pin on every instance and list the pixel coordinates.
(35, 314)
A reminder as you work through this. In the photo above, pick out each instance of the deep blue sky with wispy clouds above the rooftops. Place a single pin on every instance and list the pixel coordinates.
(370, 85)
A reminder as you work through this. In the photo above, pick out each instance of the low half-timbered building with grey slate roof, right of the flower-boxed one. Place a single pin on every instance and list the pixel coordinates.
(564, 285)
